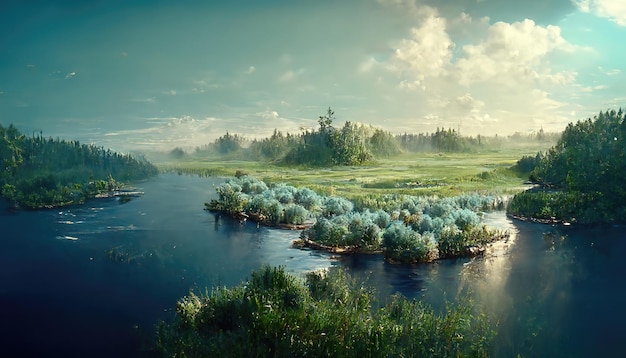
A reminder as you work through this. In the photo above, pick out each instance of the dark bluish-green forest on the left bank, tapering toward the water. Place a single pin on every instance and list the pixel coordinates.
(40, 172)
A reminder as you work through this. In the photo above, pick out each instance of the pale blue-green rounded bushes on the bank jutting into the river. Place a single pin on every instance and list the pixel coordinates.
(407, 228)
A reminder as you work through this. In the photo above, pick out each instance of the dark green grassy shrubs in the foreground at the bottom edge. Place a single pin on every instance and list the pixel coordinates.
(276, 314)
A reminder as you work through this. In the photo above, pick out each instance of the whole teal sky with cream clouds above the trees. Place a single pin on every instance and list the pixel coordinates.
(154, 75)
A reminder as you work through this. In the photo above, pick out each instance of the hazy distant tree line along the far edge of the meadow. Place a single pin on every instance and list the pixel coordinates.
(350, 144)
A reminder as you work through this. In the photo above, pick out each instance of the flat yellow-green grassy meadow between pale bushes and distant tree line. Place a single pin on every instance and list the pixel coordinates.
(442, 174)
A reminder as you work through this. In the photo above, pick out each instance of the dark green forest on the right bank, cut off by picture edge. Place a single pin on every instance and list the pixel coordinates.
(581, 178)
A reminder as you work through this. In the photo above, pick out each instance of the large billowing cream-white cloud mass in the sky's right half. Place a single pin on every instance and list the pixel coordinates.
(501, 80)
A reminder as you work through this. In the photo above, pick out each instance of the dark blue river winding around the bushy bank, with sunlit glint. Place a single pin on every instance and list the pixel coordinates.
(92, 280)
